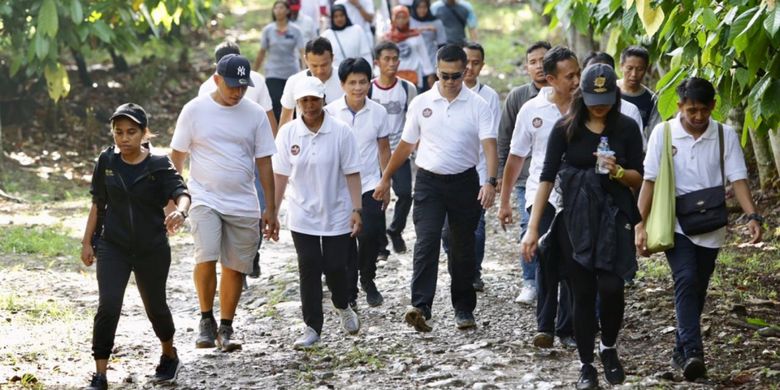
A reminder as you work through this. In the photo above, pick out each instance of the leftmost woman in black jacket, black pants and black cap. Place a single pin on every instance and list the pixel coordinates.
(127, 228)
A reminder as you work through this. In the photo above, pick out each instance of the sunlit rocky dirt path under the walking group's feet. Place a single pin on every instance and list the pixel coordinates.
(54, 345)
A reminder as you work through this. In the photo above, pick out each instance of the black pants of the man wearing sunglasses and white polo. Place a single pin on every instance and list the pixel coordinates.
(437, 197)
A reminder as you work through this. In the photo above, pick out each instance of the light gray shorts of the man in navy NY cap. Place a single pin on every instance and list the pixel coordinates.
(230, 239)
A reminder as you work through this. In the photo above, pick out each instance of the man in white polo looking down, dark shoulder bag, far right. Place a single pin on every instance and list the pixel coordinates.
(700, 162)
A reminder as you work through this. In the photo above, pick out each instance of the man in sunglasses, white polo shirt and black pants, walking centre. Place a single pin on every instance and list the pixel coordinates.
(449, 122)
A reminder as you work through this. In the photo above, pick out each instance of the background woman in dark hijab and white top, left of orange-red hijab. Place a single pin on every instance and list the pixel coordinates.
(348, 40)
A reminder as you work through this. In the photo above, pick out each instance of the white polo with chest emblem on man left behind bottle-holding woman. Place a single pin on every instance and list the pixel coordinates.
(533, 126)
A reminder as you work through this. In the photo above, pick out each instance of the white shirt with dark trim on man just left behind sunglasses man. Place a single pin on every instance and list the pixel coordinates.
(396, 101)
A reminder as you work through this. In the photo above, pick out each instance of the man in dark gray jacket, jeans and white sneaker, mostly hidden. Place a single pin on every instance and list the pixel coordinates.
(514, 101)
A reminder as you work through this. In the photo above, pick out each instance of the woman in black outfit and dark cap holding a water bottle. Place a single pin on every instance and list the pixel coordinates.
(593, 235)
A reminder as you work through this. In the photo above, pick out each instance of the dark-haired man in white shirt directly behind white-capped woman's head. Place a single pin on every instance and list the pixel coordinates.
(318, 55)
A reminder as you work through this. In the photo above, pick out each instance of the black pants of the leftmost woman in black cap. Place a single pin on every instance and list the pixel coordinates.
(114, 266)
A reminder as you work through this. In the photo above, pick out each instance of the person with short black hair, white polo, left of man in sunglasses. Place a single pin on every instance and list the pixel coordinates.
(369, 123)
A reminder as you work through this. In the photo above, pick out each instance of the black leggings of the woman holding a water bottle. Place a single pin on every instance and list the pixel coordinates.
(585, 284)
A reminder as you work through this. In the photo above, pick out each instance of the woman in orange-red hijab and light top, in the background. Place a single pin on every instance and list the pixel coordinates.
(415, 60)
